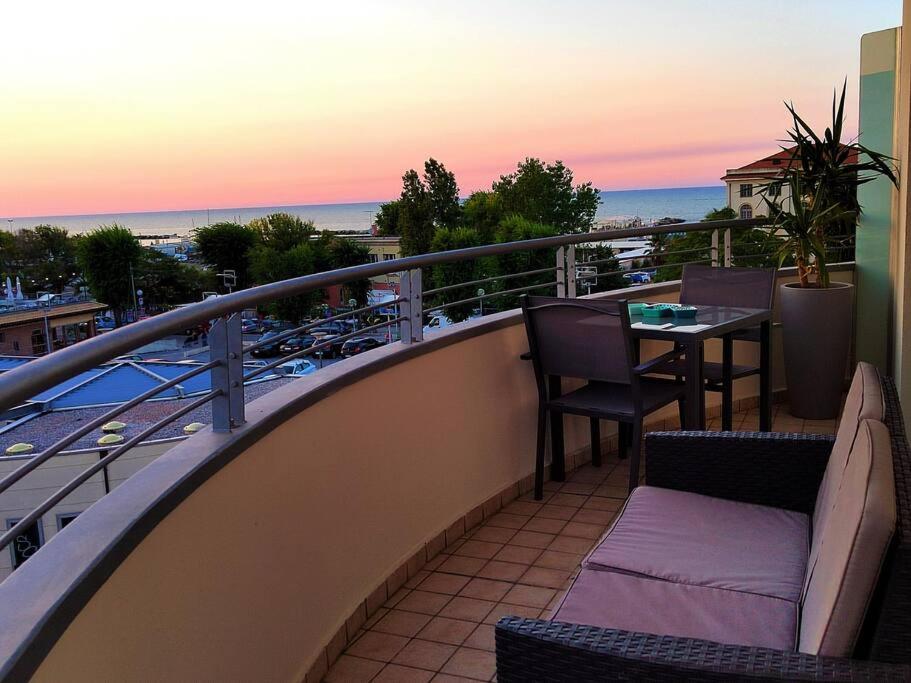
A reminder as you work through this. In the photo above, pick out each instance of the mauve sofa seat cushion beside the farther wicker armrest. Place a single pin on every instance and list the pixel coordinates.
(702, 541)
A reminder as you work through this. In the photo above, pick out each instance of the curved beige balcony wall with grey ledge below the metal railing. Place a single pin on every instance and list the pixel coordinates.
(251, 555)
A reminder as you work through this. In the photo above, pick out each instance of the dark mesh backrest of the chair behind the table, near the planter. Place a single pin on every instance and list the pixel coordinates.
(742, 287)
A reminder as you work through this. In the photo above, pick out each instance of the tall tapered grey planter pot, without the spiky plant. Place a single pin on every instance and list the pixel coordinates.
(817, 339)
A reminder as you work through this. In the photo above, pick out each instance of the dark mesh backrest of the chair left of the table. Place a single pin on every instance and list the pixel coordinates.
(579, 338)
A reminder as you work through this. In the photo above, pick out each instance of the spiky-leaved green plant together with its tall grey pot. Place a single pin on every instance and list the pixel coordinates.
(822, 175)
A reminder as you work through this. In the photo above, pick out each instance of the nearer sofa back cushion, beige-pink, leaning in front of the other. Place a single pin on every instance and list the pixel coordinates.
(850, 547)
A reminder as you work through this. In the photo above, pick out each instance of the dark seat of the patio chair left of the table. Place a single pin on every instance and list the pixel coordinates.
(596, 398)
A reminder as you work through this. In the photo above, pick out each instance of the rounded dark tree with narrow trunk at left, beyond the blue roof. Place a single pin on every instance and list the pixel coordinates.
(106, 257)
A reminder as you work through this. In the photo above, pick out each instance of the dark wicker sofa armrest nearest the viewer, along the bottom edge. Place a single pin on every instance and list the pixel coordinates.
(535, 650)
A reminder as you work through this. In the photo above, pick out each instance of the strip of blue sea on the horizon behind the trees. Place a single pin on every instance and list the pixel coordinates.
(688, 203)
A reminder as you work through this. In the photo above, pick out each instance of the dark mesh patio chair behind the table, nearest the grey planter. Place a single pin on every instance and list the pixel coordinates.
(735, 287)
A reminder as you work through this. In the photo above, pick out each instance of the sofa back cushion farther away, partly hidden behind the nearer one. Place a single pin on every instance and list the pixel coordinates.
(864, 402)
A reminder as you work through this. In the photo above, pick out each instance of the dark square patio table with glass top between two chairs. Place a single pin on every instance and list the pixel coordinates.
(712, 322)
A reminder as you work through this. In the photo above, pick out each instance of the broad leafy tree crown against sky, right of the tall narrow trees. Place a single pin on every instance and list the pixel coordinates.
(545, 194)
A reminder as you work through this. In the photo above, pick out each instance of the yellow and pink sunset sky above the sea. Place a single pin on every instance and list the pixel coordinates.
(109, 107)
